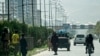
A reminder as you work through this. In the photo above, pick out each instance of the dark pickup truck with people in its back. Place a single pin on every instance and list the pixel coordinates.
(64, 40)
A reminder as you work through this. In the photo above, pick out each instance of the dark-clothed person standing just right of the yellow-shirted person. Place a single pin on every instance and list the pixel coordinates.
(23, 44)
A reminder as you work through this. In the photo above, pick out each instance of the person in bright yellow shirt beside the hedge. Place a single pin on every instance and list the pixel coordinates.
(16, 42)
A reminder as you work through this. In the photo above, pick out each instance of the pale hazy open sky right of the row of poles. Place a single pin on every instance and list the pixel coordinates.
(82, 11)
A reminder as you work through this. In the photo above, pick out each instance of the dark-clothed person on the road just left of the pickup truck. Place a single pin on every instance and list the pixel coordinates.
(54, 41)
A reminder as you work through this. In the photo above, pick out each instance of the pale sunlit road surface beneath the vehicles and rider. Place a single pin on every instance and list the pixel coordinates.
(78, 50)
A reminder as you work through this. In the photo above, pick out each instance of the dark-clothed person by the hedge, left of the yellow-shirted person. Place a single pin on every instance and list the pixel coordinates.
(5, 41)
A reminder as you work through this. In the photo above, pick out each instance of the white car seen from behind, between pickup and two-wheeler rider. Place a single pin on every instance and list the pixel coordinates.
(79, 39)
